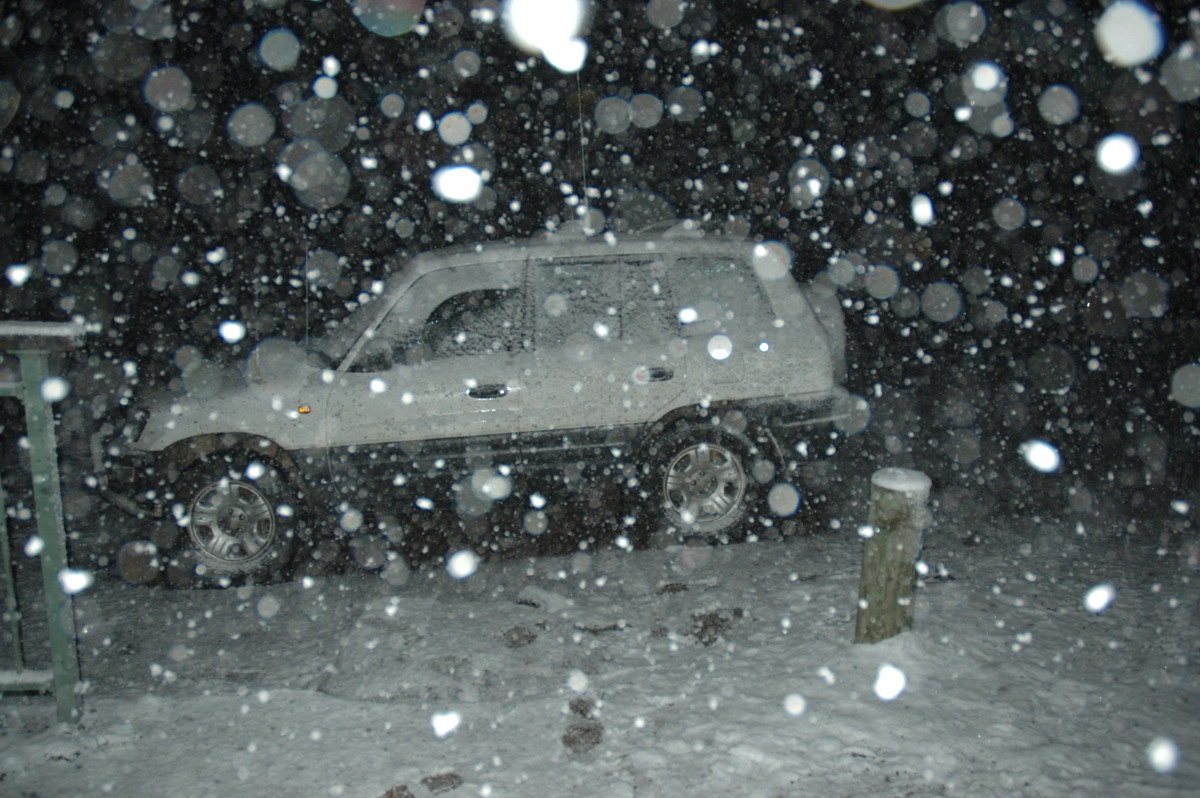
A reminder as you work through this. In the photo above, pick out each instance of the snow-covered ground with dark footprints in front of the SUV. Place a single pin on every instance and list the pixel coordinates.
(667, 673)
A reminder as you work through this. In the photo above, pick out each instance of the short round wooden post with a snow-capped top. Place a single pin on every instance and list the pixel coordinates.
(899, 514)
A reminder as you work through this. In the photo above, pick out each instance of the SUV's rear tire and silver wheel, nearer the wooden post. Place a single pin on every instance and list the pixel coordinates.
(703, 479)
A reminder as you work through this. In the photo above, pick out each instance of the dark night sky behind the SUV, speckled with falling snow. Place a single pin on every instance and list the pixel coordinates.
(1060, 358)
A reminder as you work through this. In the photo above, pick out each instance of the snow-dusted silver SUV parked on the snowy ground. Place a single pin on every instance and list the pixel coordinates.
(685, 368)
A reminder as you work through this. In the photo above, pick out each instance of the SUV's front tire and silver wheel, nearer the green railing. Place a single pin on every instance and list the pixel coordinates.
(230, 508)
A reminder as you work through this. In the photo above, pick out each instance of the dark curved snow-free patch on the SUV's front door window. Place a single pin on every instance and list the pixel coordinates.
(476, 323)
